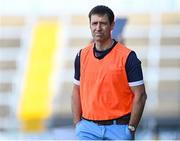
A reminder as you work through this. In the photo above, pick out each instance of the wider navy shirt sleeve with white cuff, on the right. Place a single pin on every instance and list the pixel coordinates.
(134, 70)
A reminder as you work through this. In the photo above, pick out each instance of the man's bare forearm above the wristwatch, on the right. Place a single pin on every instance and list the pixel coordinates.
(138, 104)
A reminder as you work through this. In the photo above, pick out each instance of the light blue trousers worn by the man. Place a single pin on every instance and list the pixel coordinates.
(87, 130)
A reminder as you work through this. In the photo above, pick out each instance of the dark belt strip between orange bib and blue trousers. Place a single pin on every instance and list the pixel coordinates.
(121, 120)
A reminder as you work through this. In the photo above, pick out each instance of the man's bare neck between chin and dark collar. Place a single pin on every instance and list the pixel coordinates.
(103, 45)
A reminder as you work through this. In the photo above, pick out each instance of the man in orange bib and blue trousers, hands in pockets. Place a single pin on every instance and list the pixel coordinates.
(108, 93)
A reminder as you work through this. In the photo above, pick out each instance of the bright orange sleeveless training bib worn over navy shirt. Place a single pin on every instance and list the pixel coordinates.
(104, 90)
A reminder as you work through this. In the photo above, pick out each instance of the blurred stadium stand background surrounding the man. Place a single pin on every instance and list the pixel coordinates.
(39, 40)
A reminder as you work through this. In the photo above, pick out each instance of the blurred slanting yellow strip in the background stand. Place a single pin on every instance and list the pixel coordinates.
(35, 103)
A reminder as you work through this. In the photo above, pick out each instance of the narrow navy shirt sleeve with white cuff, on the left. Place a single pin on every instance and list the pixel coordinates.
(77, 69)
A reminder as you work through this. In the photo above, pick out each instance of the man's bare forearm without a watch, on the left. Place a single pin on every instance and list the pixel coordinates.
(76, 104)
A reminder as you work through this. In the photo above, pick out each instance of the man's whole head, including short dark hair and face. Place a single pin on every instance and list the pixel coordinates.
(101, 23)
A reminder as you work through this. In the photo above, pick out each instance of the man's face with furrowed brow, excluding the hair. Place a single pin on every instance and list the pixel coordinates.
(100, 28)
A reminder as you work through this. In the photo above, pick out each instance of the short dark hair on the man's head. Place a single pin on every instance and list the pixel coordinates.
(102, 10)
